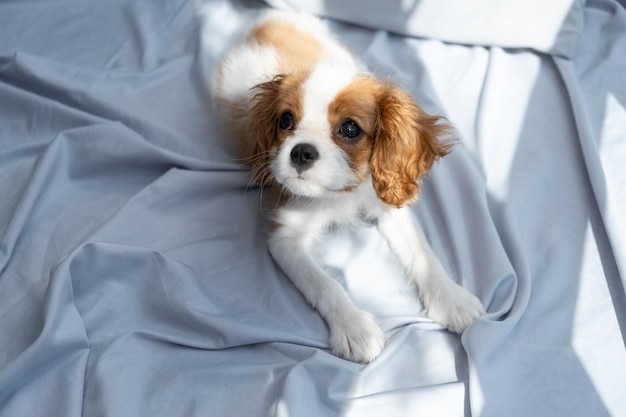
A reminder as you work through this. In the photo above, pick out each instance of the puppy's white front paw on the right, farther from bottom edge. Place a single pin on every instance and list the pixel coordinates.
(454, 308)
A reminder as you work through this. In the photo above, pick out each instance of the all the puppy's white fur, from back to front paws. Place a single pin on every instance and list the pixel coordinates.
(322, 202)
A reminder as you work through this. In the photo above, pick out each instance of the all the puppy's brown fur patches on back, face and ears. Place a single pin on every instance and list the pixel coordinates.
(400, 141)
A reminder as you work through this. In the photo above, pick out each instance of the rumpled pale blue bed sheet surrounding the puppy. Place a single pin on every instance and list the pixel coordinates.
(134, 273)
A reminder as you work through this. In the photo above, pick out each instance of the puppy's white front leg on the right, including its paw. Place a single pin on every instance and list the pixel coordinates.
(446, 302)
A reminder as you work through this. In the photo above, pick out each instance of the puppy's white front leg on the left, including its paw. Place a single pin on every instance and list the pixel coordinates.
(354, 335)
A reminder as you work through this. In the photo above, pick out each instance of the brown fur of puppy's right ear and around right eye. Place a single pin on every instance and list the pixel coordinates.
(400, 141)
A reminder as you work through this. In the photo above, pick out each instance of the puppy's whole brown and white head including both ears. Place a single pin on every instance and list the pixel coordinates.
(329, 129)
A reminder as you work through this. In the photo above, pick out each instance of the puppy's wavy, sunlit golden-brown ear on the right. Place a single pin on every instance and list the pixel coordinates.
(405, 148)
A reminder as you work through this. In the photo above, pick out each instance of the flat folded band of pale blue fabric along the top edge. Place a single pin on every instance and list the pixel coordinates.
(552, 27)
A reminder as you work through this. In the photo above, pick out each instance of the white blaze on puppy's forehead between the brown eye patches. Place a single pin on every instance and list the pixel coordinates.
(320, 89)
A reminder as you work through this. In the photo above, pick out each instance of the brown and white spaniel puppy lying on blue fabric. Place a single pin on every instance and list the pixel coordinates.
(340, 146)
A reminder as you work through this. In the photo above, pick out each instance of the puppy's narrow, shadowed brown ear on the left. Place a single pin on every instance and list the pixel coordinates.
(264, 125)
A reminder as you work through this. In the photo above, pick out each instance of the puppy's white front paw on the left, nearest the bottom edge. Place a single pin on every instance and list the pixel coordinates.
(355, 336)
